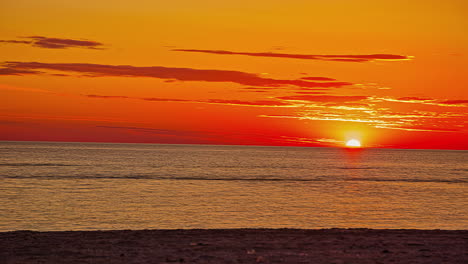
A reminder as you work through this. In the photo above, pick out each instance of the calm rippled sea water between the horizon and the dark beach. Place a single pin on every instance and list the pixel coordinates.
(91, 186)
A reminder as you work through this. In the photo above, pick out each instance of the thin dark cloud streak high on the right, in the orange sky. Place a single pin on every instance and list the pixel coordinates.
(344, 58)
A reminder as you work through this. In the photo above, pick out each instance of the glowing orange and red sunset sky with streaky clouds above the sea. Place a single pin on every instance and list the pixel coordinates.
(391, 74)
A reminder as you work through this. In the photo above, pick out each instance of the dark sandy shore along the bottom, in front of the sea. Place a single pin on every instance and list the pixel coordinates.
(236, 246)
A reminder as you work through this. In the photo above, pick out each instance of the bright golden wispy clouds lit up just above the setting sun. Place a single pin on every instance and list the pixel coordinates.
(374, 115)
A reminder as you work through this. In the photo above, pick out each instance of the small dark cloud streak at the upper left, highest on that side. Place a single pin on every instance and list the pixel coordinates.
(56, 43)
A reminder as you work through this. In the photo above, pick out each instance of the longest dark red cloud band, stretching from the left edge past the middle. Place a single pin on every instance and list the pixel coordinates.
(180, 74)
